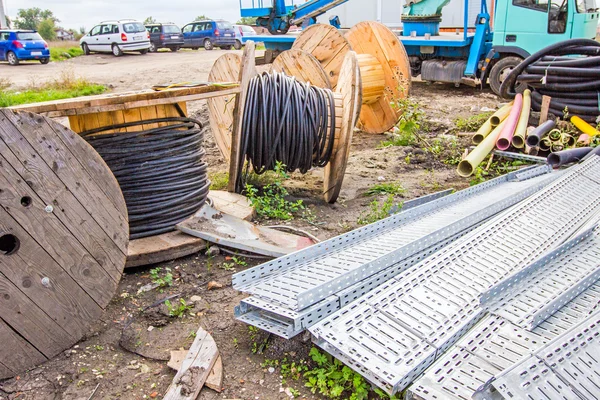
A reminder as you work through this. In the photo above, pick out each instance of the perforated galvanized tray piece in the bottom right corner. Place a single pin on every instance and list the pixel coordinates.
(566, 368)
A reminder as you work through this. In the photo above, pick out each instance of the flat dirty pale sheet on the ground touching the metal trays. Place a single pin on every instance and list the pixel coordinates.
(223, 229)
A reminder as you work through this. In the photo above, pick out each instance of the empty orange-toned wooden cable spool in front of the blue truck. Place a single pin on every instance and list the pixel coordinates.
(382, 60)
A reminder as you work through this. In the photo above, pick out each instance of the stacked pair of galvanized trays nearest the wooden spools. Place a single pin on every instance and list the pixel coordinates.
(294, 292)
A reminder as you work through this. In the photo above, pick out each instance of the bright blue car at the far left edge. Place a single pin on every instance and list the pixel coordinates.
(20, 45)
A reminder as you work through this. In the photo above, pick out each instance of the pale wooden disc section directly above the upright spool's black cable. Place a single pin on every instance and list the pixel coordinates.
(303, 66)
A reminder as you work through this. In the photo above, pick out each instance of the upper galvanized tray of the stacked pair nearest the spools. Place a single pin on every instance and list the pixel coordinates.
(301, 279)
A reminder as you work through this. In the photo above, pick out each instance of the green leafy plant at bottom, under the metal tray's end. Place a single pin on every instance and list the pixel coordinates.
(334, 380)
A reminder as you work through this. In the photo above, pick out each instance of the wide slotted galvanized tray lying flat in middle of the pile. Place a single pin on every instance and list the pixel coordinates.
(391, 336)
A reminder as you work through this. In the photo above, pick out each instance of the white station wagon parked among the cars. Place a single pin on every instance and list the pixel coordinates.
(116, 37)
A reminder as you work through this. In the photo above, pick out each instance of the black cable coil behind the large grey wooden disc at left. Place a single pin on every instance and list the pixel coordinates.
(161, 171)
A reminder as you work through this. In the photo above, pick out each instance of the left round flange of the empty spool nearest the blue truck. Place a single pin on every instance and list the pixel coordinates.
(327, 45)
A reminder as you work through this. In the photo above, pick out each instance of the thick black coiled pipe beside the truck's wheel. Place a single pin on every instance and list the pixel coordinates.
(572, 82)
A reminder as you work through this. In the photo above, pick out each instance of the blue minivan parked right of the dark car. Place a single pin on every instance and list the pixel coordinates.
(208, 34)
